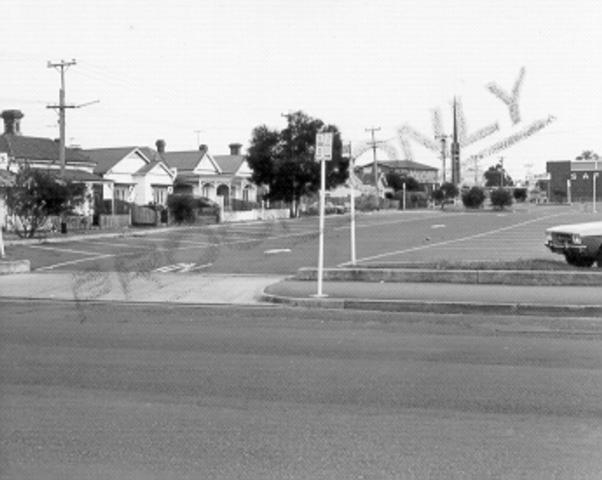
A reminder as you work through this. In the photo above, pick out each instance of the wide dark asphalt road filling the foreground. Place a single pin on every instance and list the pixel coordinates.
(99, 391)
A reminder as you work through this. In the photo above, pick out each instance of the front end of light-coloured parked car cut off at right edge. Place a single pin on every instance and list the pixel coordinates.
(580, 243)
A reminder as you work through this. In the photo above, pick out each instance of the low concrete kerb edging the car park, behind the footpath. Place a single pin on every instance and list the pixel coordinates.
(499, 277)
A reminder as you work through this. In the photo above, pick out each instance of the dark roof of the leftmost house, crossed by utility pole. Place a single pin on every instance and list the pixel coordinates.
(37, 148)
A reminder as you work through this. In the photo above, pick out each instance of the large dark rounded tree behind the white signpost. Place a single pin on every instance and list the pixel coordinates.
(284, 160)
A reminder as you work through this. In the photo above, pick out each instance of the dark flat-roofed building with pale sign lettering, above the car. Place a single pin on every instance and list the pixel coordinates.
(576, 176)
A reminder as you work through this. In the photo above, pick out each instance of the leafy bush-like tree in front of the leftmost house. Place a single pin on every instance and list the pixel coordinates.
(37, 194)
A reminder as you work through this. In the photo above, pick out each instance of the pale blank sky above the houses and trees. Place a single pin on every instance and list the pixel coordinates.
(209, 71)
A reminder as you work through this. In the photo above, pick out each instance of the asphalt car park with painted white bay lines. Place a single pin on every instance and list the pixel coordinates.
(284, 246)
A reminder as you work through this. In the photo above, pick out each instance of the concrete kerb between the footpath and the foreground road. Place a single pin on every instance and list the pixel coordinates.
(392, 306)
